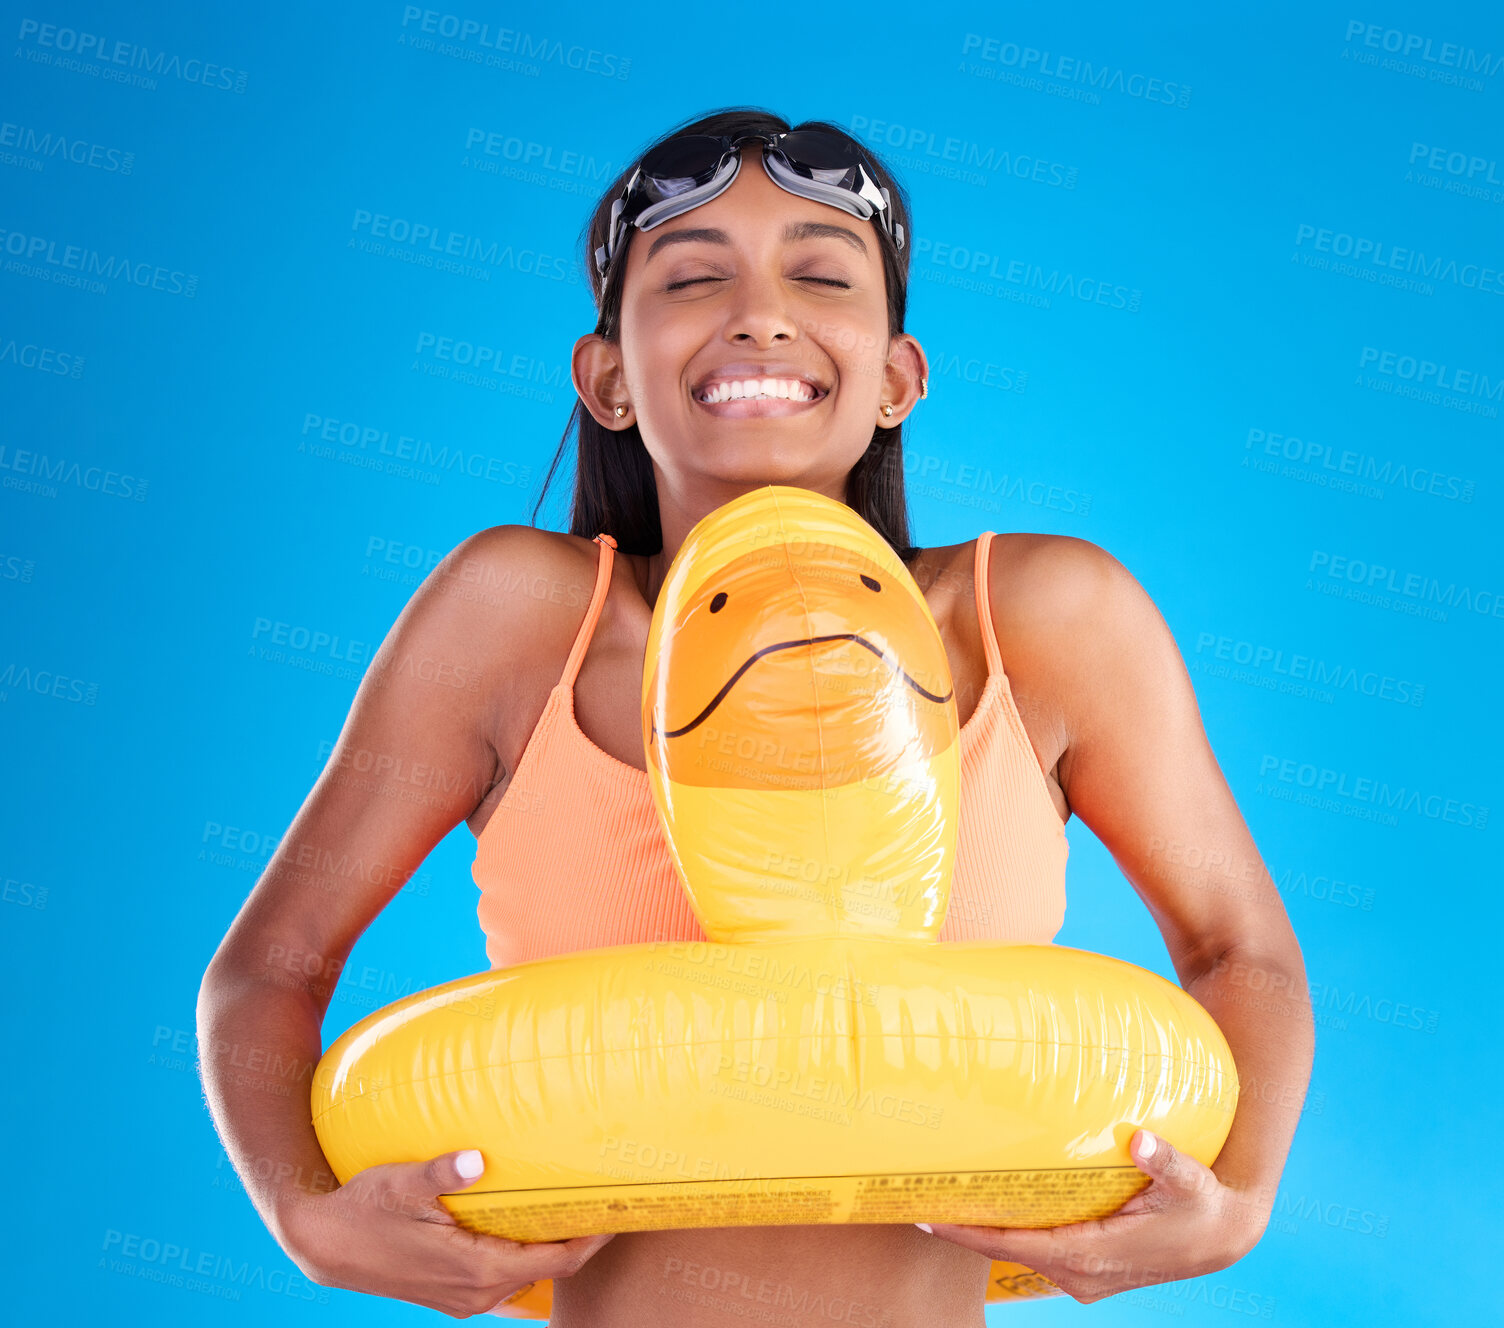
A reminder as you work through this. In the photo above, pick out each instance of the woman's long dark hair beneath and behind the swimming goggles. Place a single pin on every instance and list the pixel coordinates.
(614, 487)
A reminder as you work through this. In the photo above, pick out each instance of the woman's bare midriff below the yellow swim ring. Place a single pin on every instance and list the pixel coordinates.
(787, 1278)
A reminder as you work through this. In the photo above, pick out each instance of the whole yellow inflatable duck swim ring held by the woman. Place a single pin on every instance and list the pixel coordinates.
(822, 1058)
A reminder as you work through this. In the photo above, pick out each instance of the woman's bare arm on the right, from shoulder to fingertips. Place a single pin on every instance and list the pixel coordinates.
(1141, 775)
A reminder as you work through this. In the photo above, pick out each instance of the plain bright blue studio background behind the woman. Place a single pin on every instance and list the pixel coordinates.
(154, 757)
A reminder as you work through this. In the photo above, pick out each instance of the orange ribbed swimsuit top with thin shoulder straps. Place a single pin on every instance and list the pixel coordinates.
(574, 857)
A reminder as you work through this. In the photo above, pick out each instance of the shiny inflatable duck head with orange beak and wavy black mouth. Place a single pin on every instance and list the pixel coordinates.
(801, 727)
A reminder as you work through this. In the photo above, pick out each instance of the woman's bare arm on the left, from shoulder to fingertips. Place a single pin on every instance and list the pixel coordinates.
(428, 700)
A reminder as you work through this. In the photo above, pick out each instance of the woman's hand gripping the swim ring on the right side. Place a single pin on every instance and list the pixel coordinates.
(1186, 1225)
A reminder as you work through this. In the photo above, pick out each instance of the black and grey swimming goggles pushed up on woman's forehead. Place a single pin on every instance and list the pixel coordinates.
(691, 171)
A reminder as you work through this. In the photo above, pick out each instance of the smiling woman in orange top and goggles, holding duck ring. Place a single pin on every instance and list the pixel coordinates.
(790, 268)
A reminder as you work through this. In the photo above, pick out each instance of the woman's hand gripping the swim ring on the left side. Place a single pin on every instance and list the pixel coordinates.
(387, 1234)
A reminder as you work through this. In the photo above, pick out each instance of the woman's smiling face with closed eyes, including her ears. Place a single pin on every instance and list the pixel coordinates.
(757, 283)
